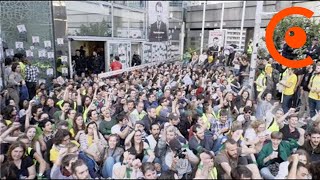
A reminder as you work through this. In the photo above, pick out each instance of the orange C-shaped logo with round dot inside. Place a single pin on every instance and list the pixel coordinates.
(297, 40)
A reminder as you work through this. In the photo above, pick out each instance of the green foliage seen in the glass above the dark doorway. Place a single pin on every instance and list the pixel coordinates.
(102, 28)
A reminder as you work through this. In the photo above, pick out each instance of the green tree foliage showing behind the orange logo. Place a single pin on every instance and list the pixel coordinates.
(309, 25)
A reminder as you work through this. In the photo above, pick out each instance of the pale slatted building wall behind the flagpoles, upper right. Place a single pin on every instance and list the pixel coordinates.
(232, 17)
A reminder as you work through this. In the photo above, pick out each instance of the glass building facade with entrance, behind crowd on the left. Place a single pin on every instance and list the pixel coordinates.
(71, 24)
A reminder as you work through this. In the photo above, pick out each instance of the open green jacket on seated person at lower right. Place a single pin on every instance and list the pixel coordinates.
(285, 149)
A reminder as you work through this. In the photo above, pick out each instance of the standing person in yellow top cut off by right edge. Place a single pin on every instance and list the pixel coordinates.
(314, 94)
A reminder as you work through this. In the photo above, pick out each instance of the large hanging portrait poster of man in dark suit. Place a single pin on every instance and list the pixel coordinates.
(158, 13)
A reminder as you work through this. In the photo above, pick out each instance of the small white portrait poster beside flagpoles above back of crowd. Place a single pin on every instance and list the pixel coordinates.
(216, 39)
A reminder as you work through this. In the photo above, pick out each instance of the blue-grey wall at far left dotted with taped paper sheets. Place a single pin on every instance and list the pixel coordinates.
(37, 18)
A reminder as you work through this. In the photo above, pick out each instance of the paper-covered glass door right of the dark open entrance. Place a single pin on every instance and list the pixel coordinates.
(121, 49)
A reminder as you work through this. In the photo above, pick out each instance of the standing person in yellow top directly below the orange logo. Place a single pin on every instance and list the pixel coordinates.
(288, 91)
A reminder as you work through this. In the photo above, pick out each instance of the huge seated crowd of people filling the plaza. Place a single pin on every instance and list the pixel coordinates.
(197, 120)
